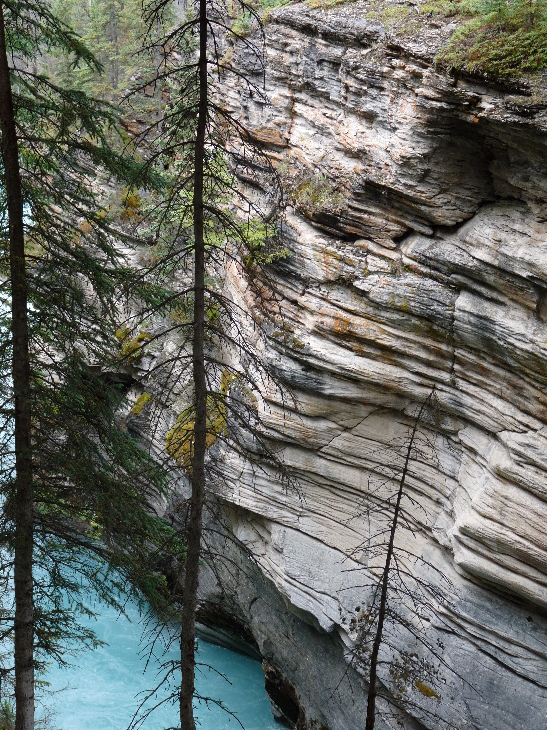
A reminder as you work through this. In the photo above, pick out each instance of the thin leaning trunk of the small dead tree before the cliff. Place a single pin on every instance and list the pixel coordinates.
(372, 687)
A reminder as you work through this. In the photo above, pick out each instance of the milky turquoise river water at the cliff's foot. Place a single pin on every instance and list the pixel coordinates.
(103, 688)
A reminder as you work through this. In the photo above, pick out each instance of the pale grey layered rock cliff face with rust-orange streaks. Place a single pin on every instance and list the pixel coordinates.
(418, 237)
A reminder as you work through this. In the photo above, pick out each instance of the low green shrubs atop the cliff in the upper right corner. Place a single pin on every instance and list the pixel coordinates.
(504, 38)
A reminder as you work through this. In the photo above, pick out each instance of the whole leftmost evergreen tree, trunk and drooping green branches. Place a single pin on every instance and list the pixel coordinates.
(76, 475)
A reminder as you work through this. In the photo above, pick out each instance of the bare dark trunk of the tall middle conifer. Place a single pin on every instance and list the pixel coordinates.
(187, 633)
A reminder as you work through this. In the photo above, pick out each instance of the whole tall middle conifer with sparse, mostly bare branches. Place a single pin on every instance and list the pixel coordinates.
(206, 217)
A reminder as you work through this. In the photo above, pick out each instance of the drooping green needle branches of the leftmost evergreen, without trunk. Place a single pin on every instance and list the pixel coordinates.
(92, 480)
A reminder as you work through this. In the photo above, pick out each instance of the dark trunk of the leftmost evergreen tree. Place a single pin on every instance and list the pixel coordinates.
(24, 605)
